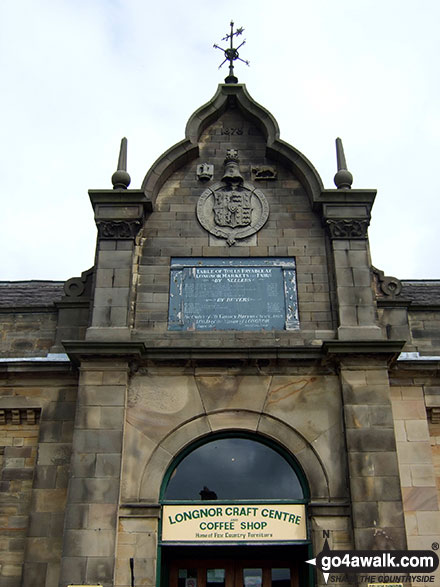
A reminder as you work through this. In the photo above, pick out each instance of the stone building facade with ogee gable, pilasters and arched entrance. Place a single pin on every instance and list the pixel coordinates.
(232, 307)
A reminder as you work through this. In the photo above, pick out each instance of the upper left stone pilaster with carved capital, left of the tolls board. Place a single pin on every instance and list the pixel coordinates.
(119, 216)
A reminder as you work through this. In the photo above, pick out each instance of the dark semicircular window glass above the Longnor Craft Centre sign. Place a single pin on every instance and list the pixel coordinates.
(233, 468)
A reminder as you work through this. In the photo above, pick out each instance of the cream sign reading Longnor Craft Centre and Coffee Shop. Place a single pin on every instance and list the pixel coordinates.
(233, 523)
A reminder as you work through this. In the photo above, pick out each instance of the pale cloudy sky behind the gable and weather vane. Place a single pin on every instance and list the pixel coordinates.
(78, 75)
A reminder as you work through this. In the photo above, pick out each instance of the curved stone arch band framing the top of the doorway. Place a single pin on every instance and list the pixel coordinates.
(272, 428)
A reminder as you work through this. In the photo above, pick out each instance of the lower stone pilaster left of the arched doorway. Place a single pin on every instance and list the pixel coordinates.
(94, 484)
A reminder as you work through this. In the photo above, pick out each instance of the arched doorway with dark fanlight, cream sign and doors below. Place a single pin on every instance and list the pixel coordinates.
(234, 515)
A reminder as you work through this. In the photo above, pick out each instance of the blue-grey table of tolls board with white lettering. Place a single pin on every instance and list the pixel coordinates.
(233, 294)
